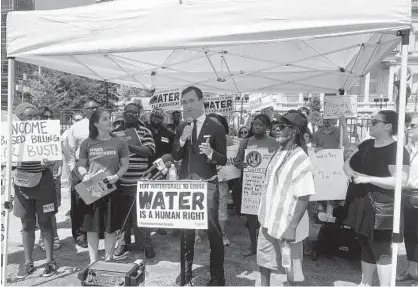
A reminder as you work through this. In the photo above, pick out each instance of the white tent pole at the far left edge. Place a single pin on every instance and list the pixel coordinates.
(7, 204)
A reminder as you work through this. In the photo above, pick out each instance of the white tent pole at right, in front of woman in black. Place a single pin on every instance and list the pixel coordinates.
(396, 236)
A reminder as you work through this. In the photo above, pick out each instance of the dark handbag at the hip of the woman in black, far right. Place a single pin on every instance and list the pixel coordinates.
(382, 212)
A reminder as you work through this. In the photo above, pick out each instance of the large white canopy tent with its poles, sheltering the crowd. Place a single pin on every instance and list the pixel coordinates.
(232, 46)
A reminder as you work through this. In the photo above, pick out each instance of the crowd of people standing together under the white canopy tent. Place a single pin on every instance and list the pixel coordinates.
(199, 147)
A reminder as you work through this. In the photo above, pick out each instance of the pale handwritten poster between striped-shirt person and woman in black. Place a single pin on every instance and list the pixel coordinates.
(330, 180)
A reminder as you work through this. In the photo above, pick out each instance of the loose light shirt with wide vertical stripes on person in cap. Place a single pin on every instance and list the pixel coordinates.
(288, 176)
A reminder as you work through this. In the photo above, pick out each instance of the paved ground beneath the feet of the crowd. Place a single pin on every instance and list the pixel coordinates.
(164, 269)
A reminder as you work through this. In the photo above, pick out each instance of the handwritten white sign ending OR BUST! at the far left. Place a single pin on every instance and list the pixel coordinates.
(32, 140)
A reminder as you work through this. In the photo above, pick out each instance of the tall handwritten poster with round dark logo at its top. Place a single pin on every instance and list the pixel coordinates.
(253, 181)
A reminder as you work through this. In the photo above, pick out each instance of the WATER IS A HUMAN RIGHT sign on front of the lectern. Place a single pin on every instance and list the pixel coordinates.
(172, 204)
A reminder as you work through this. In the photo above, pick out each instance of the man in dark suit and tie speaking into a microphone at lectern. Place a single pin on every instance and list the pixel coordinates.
(201, 145)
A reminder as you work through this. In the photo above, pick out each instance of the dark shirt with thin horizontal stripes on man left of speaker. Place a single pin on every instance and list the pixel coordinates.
(138, 164)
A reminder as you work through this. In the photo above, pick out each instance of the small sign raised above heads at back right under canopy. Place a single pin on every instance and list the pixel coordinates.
(337, 106)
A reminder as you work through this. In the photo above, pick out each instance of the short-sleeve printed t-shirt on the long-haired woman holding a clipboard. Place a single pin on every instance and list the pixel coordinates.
(104, 155)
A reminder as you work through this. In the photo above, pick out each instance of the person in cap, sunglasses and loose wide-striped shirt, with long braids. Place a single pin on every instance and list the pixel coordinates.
(283, 208)
